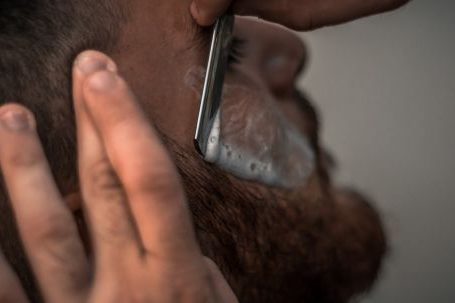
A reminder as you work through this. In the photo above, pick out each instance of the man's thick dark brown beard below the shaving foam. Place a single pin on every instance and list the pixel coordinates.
(275, 245)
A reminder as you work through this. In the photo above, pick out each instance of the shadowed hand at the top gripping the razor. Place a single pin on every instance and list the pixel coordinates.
(295, 14)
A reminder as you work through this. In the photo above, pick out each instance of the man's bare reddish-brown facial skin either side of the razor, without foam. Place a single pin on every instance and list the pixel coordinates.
(182, 52)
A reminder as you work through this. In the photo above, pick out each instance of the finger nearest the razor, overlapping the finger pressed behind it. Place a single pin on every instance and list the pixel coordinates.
(144, 167)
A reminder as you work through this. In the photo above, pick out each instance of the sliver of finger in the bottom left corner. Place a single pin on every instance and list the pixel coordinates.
(11, 290)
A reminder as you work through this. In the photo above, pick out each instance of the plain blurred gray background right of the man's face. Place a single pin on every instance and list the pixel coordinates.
(386, 88)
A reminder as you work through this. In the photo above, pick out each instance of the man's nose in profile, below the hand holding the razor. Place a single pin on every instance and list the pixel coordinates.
(275, 53)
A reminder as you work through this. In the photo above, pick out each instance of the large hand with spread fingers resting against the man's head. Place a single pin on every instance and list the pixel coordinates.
(145, 249)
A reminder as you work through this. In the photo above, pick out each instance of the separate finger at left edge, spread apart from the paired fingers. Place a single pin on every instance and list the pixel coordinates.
(46, 227)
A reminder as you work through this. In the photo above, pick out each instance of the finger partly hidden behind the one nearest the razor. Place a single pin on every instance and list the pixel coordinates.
(104, 199)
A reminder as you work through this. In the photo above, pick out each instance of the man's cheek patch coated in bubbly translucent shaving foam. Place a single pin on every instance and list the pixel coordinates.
(253, 139)
